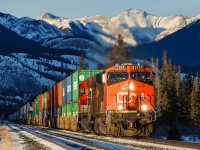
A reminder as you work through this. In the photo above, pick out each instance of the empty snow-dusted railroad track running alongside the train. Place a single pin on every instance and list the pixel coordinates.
(69, 141)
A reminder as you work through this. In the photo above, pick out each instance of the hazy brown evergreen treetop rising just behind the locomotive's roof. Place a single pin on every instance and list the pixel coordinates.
(119, 53)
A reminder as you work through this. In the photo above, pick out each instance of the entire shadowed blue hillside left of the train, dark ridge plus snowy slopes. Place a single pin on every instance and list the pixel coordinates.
(26, 66)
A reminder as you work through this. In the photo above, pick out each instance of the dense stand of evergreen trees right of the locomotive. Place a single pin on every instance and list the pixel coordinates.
(177, 97)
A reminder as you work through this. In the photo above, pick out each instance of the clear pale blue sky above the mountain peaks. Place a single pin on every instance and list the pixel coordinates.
(108, 8)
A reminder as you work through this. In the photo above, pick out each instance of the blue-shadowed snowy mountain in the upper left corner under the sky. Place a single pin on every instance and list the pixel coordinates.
(36, 30)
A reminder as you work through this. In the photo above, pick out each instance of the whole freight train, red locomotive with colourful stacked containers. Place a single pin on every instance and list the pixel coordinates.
(118, 101)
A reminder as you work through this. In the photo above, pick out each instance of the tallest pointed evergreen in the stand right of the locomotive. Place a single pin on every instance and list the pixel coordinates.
(168, 101)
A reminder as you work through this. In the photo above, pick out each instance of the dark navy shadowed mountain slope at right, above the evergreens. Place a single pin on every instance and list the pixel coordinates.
(183, 47)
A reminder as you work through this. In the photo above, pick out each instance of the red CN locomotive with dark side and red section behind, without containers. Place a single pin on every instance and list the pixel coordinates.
(119, 102)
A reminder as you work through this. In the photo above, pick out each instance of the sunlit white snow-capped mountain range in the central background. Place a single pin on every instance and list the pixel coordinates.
(136, 26)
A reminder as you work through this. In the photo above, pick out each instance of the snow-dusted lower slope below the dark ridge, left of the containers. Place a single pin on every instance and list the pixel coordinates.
(23, 75)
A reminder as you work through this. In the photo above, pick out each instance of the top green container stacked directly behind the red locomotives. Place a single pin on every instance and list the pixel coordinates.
(78, 77)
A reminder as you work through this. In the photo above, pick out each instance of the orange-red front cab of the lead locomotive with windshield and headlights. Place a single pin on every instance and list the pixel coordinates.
(128, 87)
